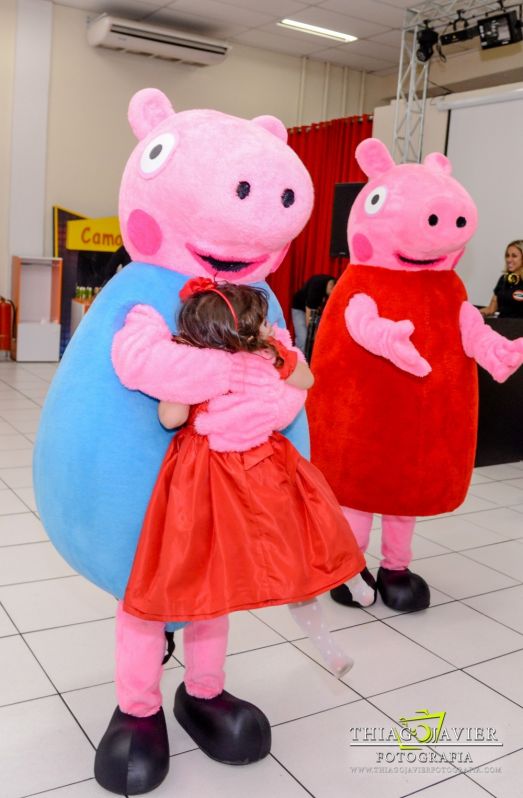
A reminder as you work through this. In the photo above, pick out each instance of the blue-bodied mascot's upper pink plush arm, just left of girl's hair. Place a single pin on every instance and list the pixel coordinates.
(145, 359)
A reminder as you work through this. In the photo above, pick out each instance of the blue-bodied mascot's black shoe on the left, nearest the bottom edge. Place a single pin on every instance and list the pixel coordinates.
(133, 755)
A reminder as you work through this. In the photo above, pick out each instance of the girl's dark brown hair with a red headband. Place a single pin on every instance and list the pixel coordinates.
(205, 320)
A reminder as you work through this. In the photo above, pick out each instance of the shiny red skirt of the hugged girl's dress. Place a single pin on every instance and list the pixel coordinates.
(228, 531)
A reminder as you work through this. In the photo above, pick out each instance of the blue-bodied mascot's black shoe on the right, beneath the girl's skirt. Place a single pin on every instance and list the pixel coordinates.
(226, 728)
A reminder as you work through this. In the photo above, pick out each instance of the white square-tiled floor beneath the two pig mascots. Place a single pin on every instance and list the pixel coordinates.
(463, 656)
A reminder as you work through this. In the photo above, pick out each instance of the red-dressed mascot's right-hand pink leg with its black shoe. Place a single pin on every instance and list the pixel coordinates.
(399, 588)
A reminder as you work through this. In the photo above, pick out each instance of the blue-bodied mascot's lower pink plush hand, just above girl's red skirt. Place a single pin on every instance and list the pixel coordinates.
(259, 404)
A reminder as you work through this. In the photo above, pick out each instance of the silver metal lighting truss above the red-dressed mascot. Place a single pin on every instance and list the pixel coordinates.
(413, 75)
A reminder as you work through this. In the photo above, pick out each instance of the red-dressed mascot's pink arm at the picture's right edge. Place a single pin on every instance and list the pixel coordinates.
(496, 354)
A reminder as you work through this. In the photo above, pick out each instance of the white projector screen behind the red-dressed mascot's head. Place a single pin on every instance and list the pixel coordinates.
(485, 146)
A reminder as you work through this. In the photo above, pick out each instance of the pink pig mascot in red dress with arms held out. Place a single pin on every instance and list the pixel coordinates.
(393, 412)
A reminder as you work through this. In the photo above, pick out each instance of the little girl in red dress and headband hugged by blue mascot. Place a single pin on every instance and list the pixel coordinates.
(227, 531)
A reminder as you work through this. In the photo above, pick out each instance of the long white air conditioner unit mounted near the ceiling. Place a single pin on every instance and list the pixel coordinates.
(154, 40)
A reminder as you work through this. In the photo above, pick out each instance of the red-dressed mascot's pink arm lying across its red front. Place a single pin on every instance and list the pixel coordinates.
(384, 337)
